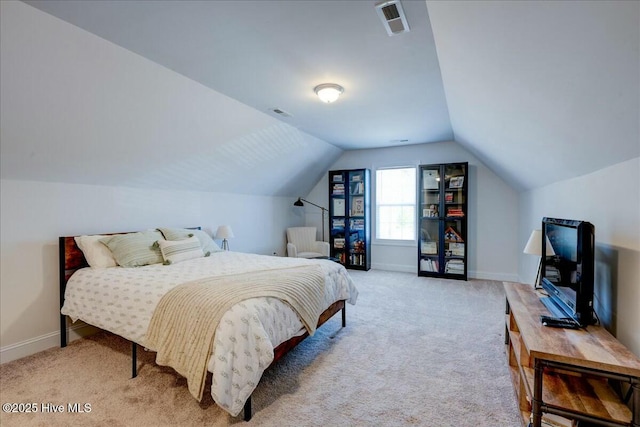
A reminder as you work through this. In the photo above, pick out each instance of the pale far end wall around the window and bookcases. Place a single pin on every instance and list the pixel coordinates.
(492, 217)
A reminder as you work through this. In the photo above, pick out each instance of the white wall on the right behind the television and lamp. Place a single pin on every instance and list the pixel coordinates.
(610, 200)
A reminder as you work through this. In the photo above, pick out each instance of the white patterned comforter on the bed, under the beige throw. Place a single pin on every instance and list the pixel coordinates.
(122, 300)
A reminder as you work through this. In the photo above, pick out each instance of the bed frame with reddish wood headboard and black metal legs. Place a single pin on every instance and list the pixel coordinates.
(72, 259)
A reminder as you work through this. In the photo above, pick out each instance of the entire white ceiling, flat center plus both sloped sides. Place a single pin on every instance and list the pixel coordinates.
(540, 91)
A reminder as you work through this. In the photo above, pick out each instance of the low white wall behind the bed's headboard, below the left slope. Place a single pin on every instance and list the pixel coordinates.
(34, 214)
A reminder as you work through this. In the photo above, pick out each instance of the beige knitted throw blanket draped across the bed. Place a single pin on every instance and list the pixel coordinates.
(183, 324)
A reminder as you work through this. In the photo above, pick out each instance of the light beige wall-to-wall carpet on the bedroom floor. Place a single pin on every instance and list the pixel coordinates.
(415, 352)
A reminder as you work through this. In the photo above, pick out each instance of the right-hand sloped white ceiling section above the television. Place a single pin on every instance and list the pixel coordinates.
(542, 91)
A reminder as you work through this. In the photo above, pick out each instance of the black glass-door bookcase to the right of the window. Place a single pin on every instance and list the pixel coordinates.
(442, 246)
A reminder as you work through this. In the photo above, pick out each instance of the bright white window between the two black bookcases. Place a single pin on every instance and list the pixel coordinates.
(396, 203)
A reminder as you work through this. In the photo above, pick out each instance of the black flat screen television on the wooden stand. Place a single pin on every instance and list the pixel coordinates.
(568, 272)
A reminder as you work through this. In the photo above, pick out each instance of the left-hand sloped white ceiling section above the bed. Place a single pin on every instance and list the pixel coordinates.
(77, 109)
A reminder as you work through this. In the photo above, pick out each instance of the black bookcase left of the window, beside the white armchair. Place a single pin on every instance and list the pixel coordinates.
(349, 217)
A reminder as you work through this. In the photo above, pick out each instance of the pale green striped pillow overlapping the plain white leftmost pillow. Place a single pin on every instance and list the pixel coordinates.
(135, 249)
